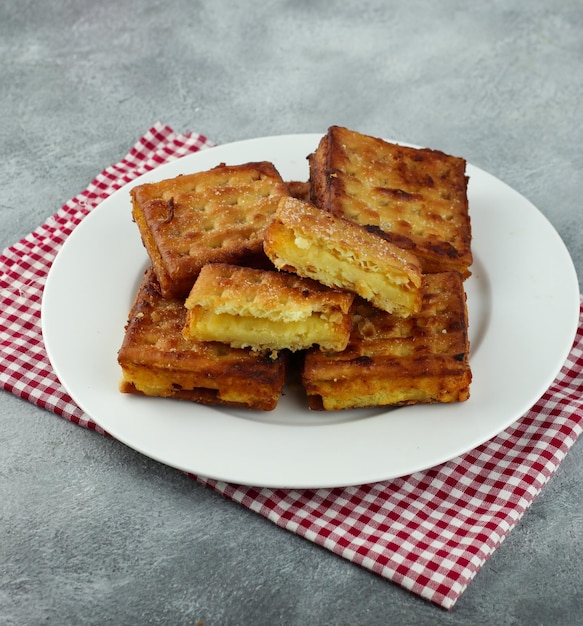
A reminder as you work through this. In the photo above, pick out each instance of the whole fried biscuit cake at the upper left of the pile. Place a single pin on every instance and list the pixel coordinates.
(217, 215)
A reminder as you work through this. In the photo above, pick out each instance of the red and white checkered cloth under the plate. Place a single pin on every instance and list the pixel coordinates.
(430, 531)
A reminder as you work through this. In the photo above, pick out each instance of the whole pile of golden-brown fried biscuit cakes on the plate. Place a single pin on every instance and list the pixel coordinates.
(355, 277)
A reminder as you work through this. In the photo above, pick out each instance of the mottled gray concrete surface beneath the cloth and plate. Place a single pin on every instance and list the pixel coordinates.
(91, 532)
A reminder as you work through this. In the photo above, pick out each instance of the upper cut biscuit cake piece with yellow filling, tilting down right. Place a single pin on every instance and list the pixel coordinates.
(339, 253)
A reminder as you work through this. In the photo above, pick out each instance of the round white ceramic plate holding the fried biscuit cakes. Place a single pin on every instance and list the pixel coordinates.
(523, 301)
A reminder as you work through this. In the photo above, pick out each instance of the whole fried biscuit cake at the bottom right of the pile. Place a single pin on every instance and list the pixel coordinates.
(393, 361)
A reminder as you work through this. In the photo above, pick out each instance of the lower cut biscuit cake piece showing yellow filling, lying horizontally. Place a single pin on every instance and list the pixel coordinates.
(266, 310)
